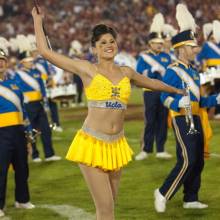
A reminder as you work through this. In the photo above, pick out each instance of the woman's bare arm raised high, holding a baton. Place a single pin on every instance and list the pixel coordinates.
(79, 67)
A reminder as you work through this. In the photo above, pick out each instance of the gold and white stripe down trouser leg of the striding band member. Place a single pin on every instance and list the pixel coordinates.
(185, 162)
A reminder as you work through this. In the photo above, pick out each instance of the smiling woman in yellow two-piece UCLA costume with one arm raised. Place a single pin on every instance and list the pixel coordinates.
(100, 147)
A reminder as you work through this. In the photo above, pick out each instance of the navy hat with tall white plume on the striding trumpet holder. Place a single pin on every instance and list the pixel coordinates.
(187, 25)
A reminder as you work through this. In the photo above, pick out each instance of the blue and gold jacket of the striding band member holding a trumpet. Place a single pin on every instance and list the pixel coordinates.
(178, 75)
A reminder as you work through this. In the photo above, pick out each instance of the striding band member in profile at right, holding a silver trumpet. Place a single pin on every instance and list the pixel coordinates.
(185, 118)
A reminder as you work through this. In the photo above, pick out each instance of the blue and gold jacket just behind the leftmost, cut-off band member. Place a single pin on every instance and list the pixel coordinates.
(31, 84)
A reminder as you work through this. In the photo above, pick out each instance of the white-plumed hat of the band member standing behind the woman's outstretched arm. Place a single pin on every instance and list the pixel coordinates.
(155, 34)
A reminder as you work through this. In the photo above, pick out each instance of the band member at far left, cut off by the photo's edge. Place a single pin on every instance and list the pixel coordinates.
(13, 144)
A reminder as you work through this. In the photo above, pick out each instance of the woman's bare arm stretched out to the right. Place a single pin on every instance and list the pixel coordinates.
(148, 83)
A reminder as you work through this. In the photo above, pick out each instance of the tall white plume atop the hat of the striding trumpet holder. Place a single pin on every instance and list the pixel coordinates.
(185, 19)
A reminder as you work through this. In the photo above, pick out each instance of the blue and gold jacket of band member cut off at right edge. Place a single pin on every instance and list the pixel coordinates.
(209, 55)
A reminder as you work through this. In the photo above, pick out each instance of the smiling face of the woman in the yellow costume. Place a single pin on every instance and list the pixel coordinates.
(106, 47)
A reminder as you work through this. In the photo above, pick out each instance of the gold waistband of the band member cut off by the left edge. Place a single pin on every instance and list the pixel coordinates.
(11, 118)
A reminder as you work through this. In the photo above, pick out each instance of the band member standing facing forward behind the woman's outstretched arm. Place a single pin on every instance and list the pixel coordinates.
(153, 63)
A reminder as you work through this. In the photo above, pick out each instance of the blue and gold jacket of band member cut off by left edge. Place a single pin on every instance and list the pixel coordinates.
(12, 111)
